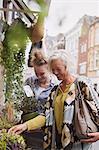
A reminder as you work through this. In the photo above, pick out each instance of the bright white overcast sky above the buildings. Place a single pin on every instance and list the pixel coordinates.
(64, 14)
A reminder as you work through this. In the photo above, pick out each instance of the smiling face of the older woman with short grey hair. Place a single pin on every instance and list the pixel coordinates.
(59, 69)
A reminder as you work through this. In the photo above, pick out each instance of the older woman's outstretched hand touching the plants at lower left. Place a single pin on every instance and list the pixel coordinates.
(18, 129)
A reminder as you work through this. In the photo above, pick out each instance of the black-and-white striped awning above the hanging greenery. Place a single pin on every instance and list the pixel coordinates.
(22, 6)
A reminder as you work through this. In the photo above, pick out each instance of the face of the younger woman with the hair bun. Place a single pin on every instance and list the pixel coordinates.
(41, 73)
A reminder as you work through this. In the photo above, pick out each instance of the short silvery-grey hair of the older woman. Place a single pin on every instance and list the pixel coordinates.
(63, 55)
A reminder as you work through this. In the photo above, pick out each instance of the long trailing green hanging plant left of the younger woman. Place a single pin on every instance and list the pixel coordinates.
(13, 59)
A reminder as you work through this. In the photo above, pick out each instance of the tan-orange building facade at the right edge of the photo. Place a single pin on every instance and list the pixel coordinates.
(93, 52)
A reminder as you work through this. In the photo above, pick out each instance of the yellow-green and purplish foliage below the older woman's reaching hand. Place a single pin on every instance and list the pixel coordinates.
(11, 142)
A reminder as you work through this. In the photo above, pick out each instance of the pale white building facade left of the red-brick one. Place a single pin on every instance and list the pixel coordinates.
(72, 39)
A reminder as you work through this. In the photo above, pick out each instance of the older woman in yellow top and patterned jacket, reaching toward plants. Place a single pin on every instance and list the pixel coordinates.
(59, 113)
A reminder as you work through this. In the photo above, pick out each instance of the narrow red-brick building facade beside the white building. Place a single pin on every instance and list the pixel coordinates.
(83, 48)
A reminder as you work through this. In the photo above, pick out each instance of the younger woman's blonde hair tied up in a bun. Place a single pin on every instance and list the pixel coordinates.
(38, 57)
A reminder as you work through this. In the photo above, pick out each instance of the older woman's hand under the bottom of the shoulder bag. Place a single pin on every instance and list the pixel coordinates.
(93, 137)
